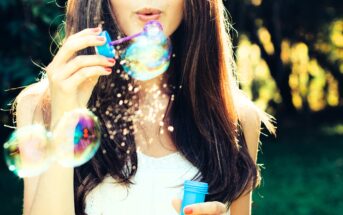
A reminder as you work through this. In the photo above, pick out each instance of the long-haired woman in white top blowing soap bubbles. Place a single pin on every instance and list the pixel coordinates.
(202, 127)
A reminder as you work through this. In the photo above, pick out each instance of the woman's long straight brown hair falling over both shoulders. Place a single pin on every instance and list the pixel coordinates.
(203, 112)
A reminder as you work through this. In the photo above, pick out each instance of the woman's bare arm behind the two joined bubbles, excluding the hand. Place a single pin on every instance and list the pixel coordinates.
(51, 192)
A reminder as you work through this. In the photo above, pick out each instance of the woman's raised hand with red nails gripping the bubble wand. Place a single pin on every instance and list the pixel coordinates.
(72, 79)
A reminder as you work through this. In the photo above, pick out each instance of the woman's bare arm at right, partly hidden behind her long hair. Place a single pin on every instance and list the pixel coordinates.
(251, 124)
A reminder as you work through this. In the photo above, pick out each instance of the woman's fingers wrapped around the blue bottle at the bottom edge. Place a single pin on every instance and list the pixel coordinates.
(213, 208)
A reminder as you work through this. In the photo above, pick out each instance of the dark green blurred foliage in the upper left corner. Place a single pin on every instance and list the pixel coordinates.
(28, 28)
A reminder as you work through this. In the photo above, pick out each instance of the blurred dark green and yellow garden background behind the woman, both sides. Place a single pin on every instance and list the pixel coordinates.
(289, 56)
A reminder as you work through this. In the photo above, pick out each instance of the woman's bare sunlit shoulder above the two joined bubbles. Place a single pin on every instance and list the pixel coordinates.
(26, 104)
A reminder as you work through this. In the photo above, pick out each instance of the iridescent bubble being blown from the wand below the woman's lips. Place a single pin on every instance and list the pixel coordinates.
(149, 55)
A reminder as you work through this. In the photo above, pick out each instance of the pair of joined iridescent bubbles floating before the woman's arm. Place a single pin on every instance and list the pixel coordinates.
(30, 150)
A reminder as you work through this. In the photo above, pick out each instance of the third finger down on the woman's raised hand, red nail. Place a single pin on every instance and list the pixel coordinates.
(82, 61)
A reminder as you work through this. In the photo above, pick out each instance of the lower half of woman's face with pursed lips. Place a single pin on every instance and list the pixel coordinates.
(133, 14)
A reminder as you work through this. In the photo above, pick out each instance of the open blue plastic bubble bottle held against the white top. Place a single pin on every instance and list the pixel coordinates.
(194, 192)
